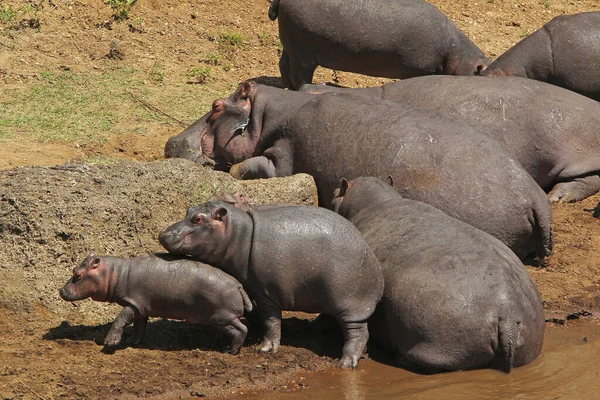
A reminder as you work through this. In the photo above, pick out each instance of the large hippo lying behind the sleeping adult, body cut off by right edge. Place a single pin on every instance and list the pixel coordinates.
(552, 132)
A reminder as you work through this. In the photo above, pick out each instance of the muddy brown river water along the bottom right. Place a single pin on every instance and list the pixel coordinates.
(569, 368)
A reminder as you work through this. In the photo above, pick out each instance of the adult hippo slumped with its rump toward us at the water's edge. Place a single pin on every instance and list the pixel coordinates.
(455, 298)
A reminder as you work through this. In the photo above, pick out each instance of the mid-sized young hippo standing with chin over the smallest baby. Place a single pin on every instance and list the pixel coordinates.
(295, 258)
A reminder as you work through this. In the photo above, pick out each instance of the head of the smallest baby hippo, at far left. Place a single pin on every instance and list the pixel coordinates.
(89, 280)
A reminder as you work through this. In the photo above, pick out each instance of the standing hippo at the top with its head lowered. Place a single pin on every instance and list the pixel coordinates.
(390, 38)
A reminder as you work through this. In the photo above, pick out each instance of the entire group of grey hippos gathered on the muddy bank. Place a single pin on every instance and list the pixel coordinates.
(433, 190)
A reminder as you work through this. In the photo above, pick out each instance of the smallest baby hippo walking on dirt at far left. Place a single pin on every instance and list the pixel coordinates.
(161, 286)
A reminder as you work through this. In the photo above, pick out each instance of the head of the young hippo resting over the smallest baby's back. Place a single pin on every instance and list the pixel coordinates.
(202, 234)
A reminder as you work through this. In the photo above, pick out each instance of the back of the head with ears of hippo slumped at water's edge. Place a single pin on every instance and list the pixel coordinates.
(353, 196)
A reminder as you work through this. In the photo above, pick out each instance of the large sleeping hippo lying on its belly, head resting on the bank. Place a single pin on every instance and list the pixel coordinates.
(444, 162)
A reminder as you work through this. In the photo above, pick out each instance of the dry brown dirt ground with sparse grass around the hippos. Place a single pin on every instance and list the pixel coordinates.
(50, 218)
